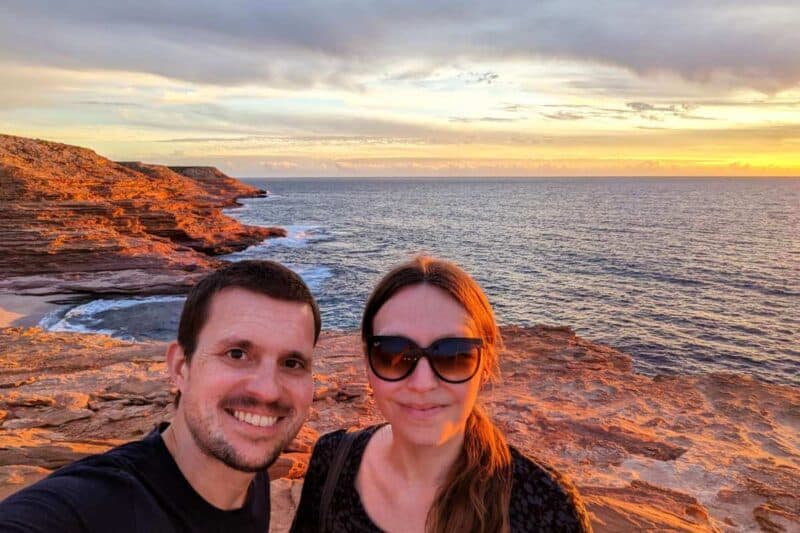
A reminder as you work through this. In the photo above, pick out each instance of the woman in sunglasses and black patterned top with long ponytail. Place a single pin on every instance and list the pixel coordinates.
(440, 464)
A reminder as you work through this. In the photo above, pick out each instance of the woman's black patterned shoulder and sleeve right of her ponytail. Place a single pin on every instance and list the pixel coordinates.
(542, 499)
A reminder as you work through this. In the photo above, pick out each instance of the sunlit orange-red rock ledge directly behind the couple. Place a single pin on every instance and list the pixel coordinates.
(713, 452)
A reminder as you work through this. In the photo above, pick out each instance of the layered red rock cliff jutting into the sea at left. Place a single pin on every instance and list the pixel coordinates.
(74, 221)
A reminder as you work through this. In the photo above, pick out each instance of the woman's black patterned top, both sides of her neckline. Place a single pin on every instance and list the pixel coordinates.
(541, 500)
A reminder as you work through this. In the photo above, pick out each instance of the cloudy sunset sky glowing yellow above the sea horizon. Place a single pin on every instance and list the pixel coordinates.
(412, 88)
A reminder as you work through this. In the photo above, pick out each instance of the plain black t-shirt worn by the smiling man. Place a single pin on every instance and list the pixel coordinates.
(136, 487)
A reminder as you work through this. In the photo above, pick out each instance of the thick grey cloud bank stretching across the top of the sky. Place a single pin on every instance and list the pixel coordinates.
(306, 44)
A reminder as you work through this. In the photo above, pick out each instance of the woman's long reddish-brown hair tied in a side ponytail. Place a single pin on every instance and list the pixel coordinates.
(477, 490)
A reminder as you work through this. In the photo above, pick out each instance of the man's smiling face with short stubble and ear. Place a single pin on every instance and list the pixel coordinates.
(246, 392)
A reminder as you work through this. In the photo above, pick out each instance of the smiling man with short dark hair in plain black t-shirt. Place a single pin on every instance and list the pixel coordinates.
(242, 366)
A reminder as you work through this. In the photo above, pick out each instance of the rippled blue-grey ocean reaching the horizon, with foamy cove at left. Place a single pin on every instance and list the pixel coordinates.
(686, 275)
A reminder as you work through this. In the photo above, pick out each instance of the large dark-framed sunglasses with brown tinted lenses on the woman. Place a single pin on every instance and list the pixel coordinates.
(452, 359)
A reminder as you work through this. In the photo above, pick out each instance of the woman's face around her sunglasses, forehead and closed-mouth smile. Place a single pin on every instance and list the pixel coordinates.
(421, 408)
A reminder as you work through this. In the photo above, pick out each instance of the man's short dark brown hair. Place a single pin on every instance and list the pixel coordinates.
(264, 277)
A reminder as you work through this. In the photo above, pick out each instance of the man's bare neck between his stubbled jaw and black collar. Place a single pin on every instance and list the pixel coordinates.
(218, 484)
